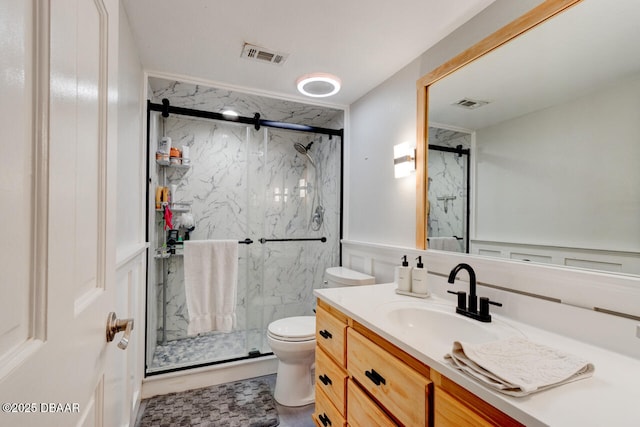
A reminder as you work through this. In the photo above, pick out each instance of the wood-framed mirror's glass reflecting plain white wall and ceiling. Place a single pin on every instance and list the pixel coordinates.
(553, 119)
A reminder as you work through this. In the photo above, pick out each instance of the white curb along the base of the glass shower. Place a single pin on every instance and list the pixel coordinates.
(208, 376)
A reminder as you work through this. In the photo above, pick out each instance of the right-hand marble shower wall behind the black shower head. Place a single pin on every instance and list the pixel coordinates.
(291, 270)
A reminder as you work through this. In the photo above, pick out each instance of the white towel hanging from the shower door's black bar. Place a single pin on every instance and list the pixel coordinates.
(210, 282)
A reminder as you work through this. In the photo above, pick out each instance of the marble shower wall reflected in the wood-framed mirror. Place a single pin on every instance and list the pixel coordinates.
(447, 178)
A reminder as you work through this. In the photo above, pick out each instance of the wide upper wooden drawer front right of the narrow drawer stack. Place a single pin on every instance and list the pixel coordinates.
(398, 388)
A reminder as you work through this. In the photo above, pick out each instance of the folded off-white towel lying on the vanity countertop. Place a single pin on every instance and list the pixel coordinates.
(516, 366)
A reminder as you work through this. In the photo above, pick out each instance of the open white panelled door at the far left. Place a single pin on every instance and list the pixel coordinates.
(58, 126)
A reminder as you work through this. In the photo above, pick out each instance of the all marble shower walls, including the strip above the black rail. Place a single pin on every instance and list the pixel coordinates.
(248, 183)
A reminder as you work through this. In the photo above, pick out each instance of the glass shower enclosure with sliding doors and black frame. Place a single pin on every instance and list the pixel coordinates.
(277, 192)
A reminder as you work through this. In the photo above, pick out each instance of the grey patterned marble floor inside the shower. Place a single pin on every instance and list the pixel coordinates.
(204, 348)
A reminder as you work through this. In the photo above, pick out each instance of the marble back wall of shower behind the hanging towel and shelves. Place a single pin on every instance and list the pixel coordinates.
(216, 186)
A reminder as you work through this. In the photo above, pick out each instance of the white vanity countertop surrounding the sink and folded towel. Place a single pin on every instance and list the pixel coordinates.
(610, 397)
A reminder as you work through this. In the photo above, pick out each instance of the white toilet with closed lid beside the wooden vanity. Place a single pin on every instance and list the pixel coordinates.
(293, 341)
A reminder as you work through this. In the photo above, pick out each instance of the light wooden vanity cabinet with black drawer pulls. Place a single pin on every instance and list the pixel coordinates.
(364, 380)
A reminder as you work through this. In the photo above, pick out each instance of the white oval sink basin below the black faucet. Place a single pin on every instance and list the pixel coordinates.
(440, 325)
